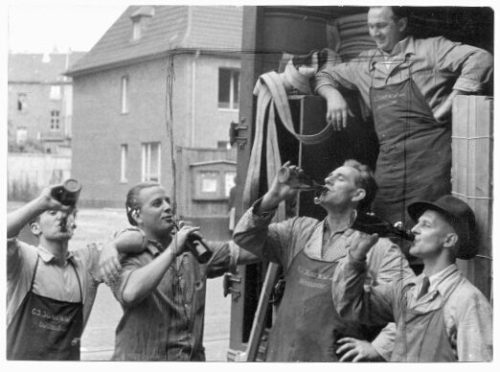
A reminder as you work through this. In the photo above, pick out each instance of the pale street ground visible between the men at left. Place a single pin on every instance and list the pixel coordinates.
(97, 225)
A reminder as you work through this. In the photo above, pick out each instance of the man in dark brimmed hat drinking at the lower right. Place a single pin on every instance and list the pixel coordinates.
(440, 315)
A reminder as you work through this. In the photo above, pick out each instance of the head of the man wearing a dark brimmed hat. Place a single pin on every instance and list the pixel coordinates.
(448, 223)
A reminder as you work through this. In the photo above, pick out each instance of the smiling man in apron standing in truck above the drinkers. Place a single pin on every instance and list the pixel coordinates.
(409, 85)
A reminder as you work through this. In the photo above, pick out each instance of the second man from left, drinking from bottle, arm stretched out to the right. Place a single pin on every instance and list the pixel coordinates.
(162, 286)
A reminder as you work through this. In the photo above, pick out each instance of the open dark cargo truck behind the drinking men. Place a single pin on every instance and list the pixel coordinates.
(270, 31)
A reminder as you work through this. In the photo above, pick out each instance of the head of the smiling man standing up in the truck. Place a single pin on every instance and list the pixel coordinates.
(387, 26)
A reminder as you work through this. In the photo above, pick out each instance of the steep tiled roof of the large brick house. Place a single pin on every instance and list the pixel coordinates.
(209, 28)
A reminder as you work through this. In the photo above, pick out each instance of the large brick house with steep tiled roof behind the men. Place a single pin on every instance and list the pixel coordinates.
(121, 99)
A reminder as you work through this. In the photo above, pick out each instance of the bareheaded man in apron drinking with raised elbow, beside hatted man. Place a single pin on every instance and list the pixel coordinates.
(307, 327)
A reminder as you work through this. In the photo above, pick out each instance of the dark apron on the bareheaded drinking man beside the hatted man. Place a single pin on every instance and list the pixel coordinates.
(307, 325)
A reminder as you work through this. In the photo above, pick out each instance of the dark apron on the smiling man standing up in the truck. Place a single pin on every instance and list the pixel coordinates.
(414, 160)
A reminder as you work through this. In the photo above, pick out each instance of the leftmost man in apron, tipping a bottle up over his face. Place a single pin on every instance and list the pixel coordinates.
(50, 290)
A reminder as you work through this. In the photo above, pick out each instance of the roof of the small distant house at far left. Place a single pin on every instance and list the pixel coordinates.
(40, 68)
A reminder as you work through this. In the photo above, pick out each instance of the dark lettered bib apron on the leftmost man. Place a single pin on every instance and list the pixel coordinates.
(44, 328)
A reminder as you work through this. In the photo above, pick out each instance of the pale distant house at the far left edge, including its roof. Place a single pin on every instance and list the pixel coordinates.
(40, 102)
